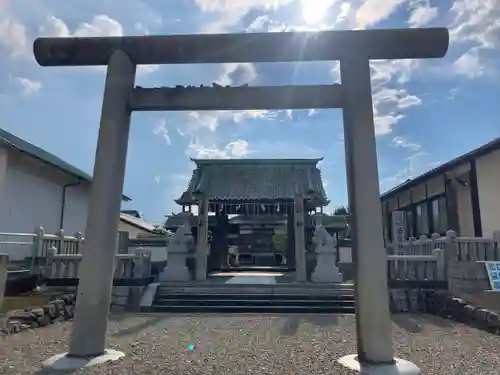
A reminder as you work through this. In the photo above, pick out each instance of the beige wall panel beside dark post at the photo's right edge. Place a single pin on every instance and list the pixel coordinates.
(488, 182)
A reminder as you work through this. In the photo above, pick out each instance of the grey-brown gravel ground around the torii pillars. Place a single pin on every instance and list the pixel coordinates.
(257, 344)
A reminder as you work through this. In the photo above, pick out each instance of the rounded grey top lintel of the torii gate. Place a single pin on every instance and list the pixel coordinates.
(248, 47)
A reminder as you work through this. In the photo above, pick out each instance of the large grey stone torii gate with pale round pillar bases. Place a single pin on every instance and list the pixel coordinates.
(353, 49)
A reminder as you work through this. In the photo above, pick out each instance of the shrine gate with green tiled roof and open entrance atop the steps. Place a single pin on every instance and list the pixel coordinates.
(249, 207)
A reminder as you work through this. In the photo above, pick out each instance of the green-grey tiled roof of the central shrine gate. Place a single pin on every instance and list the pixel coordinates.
(255, 179)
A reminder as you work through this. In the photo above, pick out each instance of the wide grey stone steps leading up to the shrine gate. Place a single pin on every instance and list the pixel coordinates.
(241, 298)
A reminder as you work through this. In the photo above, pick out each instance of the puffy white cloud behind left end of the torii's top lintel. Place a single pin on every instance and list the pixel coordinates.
(101, 25)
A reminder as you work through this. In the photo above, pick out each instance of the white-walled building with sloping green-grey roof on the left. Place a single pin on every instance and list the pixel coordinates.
(39, 189)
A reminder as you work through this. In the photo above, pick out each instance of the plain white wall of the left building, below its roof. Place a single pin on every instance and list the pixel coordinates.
(32, 194)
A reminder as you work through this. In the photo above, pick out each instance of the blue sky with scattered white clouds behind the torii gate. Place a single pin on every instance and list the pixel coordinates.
(426, 112)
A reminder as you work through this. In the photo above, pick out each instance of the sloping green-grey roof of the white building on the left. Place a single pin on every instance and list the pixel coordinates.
(21, 145)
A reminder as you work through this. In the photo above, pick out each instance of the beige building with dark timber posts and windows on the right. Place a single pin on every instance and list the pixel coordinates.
(463, 195)
